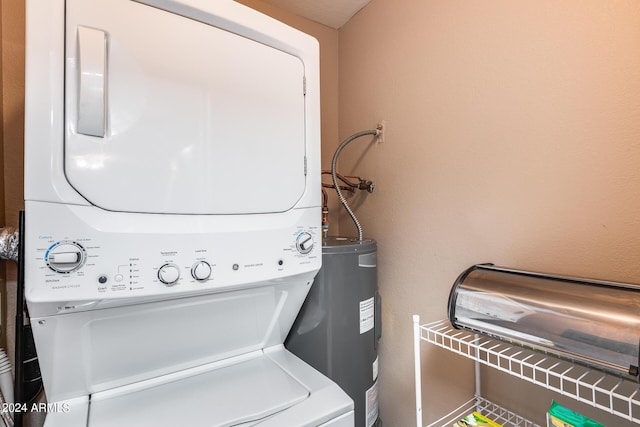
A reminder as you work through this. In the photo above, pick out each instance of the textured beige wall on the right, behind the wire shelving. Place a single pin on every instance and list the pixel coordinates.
(513, 137)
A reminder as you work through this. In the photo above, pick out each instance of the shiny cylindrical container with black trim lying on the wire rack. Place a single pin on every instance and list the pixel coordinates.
(593, 322)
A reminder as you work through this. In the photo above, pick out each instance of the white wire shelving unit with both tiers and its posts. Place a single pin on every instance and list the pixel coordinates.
(600, 390)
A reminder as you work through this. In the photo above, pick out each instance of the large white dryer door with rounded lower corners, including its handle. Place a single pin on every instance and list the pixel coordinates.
(168, 114)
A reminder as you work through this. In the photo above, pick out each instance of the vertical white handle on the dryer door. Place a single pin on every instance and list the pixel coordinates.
(92, 81)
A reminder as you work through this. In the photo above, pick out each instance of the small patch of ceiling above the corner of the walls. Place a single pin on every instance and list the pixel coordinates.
(332, 13)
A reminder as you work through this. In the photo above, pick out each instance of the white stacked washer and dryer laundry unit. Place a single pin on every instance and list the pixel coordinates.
(172, 200)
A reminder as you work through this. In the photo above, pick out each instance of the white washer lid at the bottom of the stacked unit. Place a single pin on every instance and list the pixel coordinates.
(241, 393)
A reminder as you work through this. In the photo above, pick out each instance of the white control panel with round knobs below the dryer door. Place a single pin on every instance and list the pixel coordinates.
(157, 256)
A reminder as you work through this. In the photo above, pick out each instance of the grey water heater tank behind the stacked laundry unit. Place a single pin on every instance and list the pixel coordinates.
(338, 328)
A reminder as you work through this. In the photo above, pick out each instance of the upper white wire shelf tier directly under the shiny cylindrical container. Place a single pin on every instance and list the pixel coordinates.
(600, 390)
